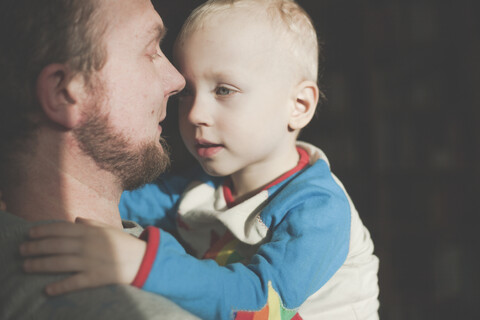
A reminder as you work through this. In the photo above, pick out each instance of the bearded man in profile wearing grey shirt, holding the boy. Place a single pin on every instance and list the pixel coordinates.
(84, 87)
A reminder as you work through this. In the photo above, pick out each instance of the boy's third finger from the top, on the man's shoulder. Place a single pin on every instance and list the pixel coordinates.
(53, 264)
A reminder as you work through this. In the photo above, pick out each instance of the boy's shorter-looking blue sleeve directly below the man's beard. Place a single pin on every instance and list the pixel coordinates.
(155, 204)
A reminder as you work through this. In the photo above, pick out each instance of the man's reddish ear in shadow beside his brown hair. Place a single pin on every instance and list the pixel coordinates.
(58, 94)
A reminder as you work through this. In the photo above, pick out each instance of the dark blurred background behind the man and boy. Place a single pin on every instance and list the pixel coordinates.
(401, 131)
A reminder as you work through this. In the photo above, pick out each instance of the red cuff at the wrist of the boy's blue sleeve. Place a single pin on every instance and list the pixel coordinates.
(152, 236)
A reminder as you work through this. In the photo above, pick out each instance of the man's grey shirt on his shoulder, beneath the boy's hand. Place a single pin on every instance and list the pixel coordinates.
(22, 295)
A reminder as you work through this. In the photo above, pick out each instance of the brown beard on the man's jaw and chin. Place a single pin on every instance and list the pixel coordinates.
(134, 166)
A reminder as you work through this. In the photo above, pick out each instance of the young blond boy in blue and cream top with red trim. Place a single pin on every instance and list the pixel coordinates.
(270, 232)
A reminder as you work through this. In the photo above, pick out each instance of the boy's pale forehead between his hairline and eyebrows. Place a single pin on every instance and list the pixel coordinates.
(226, 50)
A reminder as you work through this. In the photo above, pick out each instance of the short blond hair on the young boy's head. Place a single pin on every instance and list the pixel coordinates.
(289, 20)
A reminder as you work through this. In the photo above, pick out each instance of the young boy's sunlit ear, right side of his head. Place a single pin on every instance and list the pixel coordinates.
(306, 99)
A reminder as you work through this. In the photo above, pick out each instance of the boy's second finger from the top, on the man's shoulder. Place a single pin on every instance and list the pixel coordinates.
(50, 246)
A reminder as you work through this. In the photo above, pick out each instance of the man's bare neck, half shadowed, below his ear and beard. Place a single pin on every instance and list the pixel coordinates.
(59, 182)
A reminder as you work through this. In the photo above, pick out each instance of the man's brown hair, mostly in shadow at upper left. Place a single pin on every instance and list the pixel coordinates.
(34, 34)
